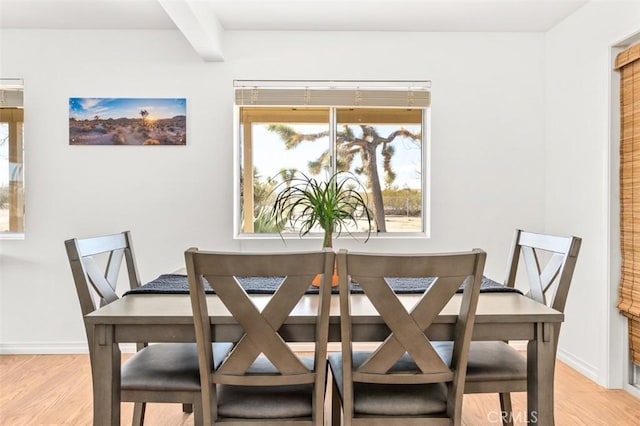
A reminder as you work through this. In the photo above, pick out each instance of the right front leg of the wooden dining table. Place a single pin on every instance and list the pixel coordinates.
(540, 376)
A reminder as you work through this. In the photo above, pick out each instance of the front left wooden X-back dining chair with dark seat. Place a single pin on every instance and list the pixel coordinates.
(262, 380)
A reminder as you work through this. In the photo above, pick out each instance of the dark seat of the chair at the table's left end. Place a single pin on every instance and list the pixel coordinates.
(167, 366)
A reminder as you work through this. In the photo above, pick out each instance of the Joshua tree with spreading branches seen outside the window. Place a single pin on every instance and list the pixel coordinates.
(349, 146)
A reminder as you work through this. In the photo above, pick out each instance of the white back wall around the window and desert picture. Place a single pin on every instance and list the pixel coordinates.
(487, 169)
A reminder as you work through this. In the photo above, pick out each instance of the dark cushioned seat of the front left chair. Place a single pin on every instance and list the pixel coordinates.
(266, 402)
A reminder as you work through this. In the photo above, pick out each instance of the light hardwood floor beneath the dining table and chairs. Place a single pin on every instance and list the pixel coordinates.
(56, 390)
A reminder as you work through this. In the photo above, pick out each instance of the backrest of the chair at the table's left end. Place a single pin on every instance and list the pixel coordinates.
(94, 284)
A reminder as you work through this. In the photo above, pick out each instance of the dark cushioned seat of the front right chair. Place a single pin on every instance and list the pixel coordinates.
(392, 399)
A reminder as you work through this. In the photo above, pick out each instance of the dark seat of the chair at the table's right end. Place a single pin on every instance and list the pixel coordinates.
(489, 361)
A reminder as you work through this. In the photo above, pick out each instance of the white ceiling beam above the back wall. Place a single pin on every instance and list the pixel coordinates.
(199, 25)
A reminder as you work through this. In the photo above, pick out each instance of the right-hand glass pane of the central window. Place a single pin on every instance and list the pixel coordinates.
(383, 147)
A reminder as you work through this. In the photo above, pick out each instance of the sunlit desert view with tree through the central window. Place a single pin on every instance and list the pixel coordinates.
(386, 157)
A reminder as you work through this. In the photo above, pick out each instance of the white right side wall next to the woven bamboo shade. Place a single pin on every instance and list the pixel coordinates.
(577, 195)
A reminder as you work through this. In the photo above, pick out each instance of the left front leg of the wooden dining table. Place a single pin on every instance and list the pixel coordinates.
(106, 377)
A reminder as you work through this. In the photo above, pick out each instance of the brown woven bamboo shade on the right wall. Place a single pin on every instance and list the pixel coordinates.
(628, 64)
